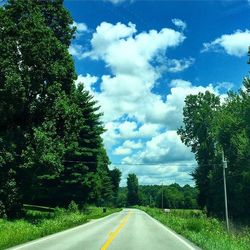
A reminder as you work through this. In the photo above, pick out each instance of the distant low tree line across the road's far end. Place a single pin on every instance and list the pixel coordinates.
(161, 196)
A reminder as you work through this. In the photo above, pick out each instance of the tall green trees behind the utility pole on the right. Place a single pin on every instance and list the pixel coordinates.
(211, 127)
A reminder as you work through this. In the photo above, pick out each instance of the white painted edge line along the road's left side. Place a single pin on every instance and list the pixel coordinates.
(58, 233)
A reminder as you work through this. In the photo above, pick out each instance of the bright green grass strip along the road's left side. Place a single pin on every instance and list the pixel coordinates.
(37, 224)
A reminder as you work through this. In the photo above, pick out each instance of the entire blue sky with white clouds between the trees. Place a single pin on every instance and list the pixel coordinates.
(140, 59)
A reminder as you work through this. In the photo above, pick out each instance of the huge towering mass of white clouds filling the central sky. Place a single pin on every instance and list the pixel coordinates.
(141, 124)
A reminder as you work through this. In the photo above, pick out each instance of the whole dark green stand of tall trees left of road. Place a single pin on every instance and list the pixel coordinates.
(51, 150)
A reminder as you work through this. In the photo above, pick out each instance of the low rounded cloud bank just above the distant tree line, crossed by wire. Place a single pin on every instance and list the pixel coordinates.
(164, 158)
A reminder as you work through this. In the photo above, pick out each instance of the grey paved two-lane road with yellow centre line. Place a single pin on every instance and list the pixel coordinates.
(127, 230)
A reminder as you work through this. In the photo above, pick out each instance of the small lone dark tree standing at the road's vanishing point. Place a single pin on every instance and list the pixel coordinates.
(133, 190)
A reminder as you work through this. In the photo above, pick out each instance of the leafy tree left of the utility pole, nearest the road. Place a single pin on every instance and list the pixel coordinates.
(199, 113)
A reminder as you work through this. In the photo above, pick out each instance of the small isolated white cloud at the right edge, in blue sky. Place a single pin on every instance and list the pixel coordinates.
(235, 44)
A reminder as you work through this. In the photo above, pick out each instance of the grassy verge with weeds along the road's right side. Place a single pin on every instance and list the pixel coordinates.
(207, 233)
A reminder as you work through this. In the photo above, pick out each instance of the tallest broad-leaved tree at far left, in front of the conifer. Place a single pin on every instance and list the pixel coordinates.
(35, 70)
